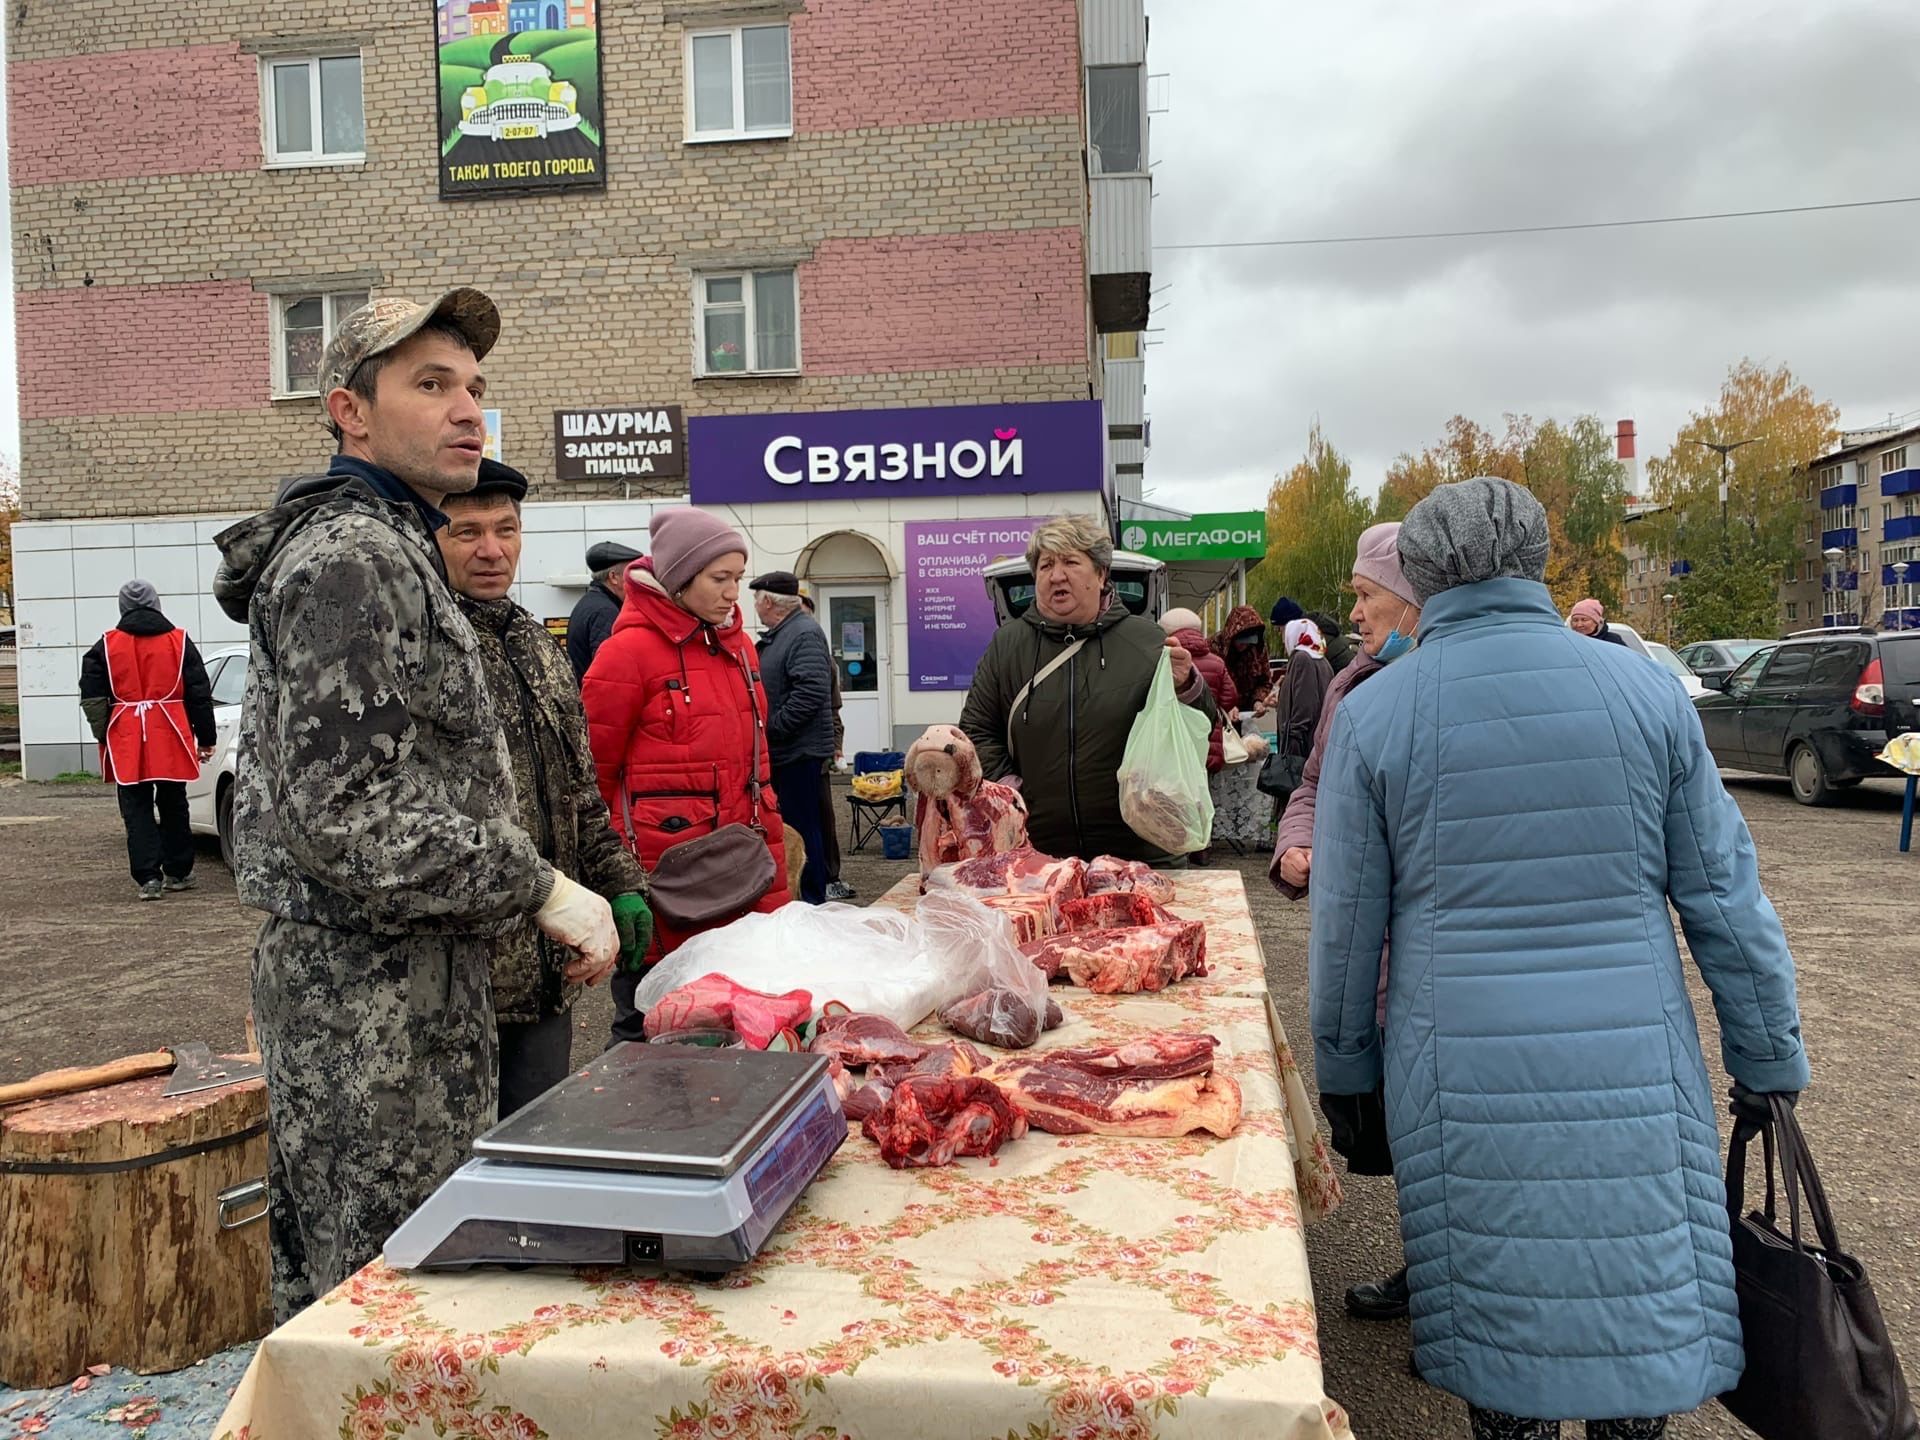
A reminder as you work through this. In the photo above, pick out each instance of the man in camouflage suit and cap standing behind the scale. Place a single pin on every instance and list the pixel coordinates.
(375, 809)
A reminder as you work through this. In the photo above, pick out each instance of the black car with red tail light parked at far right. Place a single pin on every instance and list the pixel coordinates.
(1817, 709)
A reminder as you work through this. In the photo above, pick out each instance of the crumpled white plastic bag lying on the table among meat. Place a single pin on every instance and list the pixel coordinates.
(871, 961)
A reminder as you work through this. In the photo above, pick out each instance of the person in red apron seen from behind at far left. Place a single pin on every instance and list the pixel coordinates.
(147, 696)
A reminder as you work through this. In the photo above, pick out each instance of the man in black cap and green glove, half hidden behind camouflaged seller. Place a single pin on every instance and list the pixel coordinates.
(554, 779)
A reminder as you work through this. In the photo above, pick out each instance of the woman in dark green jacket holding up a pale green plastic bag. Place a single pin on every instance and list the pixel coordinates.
(1057, 692)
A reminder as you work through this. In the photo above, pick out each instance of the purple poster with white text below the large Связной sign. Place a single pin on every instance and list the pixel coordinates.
(949, 615)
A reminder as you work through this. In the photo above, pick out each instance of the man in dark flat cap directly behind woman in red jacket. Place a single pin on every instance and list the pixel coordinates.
(798, 673)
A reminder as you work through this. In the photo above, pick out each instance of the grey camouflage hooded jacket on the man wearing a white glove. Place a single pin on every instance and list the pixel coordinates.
(373, 790)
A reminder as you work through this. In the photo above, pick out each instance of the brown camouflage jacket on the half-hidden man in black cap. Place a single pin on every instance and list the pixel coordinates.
(562, 807)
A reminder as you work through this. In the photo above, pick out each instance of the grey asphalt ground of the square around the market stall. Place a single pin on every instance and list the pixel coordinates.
(93, 974)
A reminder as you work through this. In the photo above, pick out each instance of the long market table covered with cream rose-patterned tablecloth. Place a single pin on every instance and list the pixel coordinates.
(1068, 1287)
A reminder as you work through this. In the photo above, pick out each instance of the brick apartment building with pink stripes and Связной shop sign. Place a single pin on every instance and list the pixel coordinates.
(869, 274)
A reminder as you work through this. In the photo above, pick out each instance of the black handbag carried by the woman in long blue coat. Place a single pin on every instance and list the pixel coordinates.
(1819, 1358)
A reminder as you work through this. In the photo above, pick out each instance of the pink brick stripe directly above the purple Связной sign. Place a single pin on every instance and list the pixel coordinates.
(944, 302)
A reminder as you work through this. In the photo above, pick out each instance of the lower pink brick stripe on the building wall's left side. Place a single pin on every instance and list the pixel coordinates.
(141, 350)
